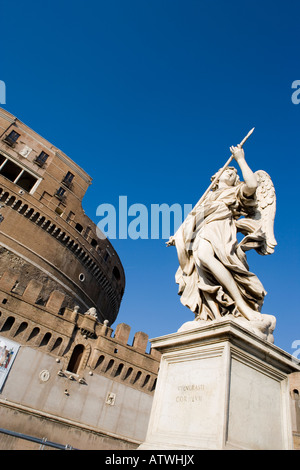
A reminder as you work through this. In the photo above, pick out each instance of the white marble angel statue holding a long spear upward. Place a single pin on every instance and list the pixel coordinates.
(213, 275)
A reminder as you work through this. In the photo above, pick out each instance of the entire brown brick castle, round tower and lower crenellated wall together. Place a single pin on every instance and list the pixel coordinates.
(72, 379)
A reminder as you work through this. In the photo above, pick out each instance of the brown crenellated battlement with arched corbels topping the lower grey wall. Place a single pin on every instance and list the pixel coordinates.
(60, 331)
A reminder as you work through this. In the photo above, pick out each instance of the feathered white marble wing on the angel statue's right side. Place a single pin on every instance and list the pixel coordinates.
(259, 227)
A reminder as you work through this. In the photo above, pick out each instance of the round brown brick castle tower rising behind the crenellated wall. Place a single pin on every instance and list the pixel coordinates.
(44, 232)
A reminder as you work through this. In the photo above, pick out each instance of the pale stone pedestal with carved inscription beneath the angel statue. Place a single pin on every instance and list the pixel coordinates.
(220, 386)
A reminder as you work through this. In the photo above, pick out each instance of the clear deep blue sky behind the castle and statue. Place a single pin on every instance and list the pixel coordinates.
(147, 96)
